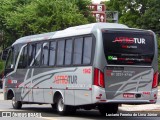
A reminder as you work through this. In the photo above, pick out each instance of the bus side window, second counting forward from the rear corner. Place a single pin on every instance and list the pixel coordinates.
(77, 55)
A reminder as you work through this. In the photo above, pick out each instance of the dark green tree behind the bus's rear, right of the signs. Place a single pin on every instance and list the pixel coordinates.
(137, 13)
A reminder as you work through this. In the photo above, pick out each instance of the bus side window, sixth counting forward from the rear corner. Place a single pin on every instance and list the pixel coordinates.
(45, 52)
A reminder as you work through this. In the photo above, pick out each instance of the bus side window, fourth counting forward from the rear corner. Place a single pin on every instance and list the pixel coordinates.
(60, 52)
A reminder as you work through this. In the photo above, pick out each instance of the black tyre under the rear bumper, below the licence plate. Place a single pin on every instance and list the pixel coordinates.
(108, 109)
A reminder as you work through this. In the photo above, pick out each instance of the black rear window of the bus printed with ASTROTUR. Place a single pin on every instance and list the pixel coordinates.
(128, 48)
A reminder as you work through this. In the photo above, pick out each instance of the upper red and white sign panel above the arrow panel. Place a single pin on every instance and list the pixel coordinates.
(98, 7)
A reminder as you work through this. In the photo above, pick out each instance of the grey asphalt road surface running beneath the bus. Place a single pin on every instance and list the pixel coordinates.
(49, 114)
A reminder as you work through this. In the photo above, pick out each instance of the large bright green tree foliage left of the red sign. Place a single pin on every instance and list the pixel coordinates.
(26, 17)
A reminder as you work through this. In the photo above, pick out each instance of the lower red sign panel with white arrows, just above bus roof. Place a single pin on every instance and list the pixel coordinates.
(100, 16)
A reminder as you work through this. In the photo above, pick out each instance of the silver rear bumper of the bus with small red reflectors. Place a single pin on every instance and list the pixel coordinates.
(99, 96)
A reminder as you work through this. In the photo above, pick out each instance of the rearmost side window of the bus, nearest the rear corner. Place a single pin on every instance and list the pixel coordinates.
(87, 51)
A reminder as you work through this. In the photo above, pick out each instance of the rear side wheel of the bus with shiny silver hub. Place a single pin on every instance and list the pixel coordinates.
(62, 109)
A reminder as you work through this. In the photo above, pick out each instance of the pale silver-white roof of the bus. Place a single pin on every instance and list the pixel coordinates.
(71, 31)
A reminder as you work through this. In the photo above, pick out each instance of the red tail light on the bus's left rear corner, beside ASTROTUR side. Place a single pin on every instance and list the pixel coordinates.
(99, 78)
